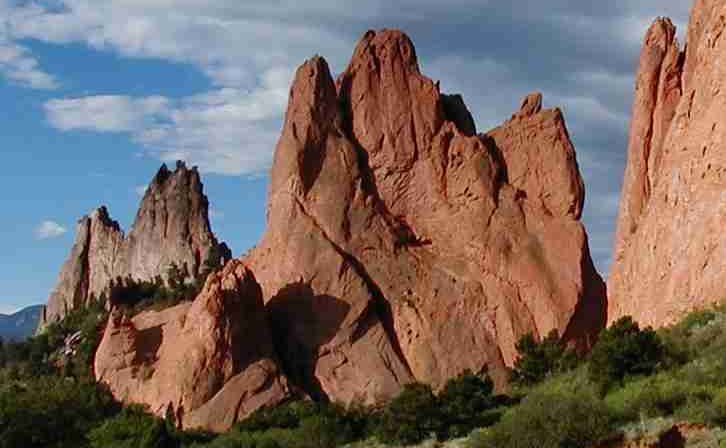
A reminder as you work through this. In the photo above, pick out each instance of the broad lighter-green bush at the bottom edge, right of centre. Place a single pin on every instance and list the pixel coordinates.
(550, 419)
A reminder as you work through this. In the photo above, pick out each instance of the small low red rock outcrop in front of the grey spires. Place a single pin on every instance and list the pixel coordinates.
(212, 361)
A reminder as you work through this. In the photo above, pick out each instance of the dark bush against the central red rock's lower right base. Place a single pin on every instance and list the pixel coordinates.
(537, 361)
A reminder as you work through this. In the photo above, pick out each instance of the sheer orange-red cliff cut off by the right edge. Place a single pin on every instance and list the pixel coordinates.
(669, 249)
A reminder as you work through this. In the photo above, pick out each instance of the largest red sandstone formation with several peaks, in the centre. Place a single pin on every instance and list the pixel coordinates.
(401, 246)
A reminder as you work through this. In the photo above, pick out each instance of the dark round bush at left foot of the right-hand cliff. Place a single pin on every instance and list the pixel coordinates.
(624, 350)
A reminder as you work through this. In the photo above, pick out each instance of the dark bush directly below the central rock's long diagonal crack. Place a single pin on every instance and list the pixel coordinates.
(413, 416)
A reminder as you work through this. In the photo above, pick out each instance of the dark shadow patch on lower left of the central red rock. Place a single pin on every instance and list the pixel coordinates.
(301, 323)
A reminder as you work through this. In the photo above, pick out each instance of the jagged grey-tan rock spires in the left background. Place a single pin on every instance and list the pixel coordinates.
(172, 226)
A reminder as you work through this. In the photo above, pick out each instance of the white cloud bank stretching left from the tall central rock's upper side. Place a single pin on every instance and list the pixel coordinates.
(227, 131)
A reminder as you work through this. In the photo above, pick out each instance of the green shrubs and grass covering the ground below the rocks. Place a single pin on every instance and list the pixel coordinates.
(636, 383)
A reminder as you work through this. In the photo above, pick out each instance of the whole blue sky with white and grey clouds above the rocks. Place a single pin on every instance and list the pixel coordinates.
(95, 94)
